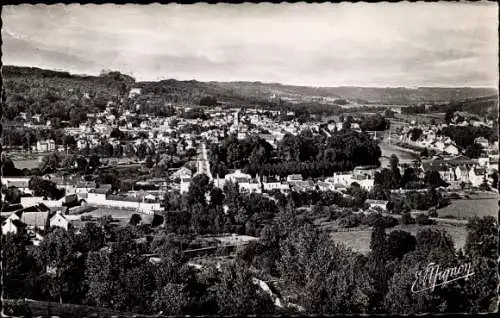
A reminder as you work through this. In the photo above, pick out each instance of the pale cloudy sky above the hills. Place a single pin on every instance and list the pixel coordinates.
(346, 44)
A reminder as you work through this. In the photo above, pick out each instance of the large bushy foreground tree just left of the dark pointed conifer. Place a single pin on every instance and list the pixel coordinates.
(328, 277)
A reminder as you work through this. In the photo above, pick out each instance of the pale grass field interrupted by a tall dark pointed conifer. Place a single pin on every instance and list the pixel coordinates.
(360, 240)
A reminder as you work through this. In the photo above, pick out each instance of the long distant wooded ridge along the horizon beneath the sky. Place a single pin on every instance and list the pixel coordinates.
(243, 91)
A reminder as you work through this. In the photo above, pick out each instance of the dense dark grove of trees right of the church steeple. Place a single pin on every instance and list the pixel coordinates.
(308, 154)
